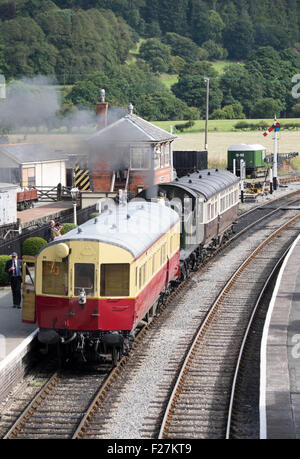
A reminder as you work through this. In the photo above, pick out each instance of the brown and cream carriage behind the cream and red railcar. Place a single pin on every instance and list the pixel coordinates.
(208, 201)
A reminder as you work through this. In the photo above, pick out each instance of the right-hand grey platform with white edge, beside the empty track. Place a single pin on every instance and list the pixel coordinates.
(280, 355)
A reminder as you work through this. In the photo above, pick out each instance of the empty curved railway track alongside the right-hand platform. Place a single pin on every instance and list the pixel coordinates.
(205, 387)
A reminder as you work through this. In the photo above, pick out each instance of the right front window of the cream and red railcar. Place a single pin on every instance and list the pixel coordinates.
(115, 279)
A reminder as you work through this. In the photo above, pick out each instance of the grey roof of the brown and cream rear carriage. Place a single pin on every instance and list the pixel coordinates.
(207, 182)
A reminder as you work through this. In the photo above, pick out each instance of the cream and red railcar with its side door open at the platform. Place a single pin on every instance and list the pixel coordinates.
(94, 285)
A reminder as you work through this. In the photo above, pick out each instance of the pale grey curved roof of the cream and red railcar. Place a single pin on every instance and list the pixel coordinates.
(133, 227)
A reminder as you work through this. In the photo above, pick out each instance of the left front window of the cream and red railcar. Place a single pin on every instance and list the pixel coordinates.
(55, 278)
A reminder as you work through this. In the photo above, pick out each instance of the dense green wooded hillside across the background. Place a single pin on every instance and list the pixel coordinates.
(126, 46)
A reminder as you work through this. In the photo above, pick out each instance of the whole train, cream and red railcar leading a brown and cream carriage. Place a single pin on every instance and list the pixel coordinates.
(95, 285)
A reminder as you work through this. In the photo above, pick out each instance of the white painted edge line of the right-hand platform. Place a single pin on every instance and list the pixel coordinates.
(263, 350)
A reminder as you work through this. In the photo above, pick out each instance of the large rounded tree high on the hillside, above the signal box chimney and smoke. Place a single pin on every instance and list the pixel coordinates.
(86, 41)
